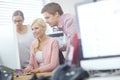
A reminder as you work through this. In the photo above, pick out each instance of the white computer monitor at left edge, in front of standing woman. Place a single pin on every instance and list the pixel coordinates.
(9, 55)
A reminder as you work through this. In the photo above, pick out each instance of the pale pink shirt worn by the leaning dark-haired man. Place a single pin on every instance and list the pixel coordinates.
(68, 25)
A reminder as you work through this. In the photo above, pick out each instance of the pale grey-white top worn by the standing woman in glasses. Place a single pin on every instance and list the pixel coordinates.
(24, 41)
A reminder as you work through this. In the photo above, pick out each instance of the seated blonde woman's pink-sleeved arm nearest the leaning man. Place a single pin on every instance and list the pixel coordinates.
(54, 61)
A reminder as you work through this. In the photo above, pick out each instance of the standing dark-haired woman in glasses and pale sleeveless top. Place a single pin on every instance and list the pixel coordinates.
(25, 37)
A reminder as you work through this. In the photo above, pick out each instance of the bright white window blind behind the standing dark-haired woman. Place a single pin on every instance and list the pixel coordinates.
(30, 8)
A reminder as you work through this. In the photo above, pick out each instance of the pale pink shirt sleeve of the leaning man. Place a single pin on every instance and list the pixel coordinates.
(70, 29)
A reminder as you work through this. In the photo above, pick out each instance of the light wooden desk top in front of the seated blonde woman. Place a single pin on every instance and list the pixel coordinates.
(26, 77)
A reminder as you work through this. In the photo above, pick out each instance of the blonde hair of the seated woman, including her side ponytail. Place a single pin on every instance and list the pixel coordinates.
(42, 24)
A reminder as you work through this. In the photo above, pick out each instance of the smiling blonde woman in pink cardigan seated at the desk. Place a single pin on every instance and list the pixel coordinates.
(44, 50)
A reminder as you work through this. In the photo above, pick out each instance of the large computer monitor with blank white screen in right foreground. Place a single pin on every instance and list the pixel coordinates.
(99, 29)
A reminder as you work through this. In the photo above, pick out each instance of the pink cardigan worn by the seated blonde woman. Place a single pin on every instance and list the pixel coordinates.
(50, 56)
